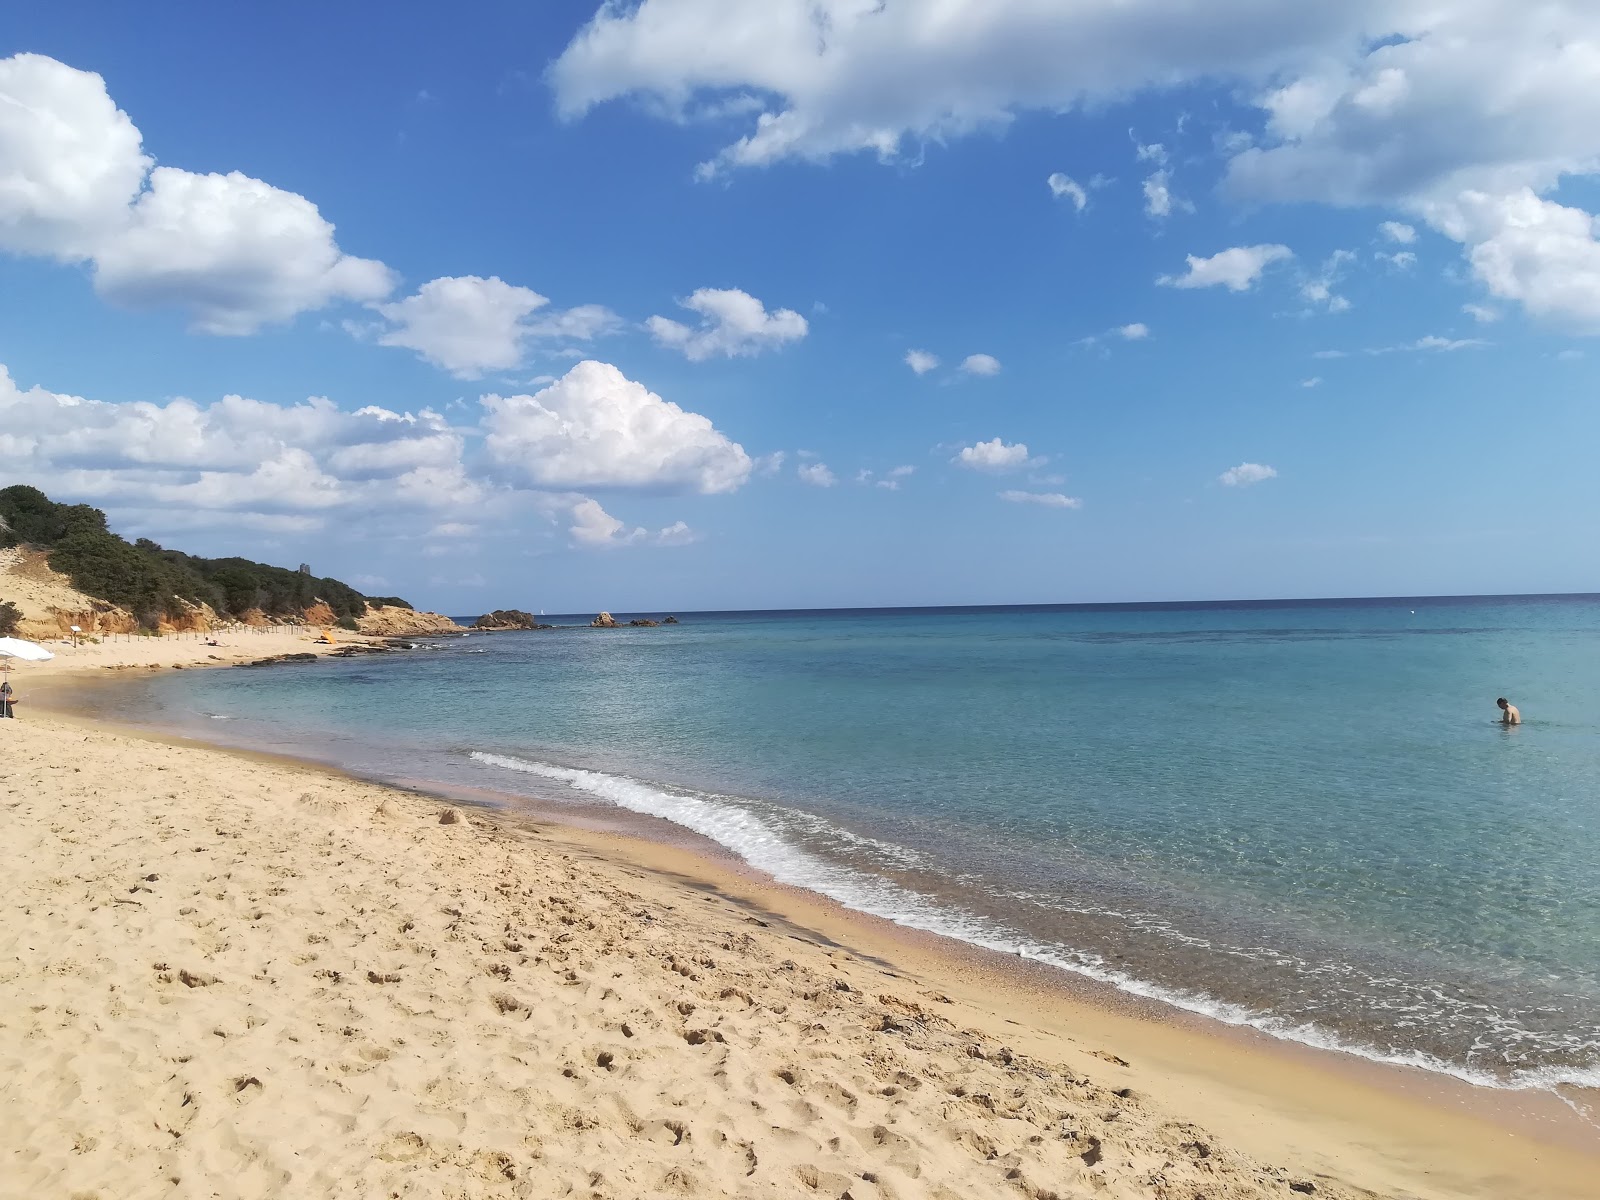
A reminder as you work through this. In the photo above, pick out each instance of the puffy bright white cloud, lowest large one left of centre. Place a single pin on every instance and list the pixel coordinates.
(594, 428)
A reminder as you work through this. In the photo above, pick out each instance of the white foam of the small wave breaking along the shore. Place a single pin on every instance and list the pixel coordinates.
(762, 844)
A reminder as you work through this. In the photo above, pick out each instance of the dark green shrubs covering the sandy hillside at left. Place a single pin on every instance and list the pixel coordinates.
(153, 582)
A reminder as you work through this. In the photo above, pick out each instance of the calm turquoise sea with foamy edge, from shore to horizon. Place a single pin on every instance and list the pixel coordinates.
(1298, 817)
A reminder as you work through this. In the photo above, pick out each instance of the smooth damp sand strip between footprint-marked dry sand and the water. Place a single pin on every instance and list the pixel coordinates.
(1374, 1126)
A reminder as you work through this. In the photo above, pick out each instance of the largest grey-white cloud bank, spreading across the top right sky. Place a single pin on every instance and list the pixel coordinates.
(1462, 116)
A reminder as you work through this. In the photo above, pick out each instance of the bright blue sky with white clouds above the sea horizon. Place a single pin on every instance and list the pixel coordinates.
(614, 308)
